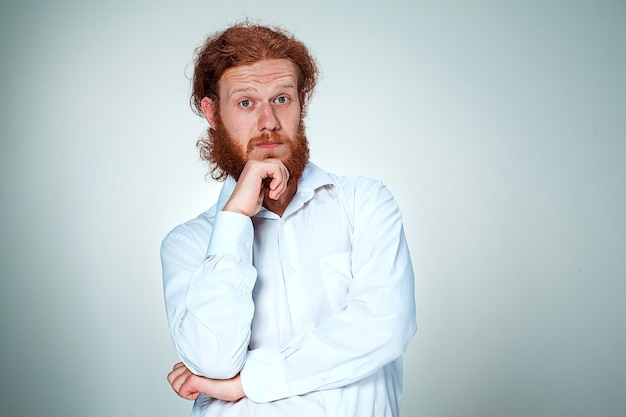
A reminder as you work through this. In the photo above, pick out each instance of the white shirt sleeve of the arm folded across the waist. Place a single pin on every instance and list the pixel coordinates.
(373, 329)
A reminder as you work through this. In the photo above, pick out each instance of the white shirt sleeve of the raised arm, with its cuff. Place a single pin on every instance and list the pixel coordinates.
(208, 293)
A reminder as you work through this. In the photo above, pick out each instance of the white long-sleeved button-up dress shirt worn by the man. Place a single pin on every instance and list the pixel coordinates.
(314, 308)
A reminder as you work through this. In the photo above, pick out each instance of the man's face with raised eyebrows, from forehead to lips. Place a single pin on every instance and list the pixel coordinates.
(259, 100)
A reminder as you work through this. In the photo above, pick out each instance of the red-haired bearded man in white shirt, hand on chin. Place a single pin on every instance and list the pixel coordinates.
(293, 295)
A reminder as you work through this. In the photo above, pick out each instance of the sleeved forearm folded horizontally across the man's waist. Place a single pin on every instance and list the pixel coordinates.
(373, 330)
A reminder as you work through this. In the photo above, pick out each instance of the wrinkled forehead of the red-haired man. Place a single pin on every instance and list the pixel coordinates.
(265, 74)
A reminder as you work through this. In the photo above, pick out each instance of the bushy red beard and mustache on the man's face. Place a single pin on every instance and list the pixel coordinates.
(227, 157)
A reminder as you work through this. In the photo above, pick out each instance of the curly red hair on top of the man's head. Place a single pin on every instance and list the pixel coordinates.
(244, 44)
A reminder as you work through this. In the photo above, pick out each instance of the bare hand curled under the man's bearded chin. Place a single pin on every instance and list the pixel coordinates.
(247, 197)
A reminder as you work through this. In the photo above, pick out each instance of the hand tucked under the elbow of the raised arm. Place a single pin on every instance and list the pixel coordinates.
(189, 386)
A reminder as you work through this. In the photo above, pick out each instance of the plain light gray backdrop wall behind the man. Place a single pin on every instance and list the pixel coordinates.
(499, 126)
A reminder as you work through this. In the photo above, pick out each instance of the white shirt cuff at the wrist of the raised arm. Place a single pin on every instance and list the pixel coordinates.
(232, 234)
